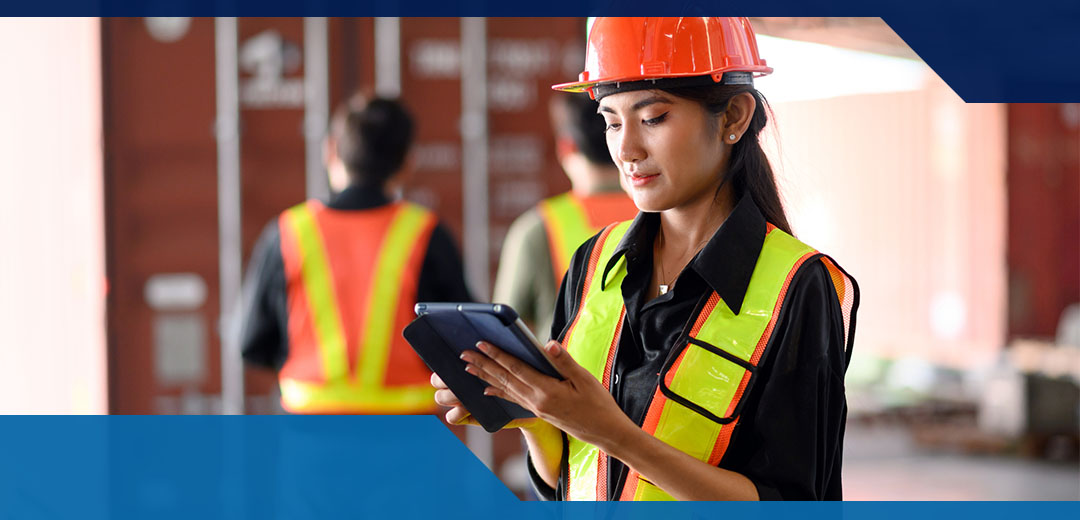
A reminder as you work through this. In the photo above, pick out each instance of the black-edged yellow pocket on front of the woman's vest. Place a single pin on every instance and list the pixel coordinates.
(708, 380)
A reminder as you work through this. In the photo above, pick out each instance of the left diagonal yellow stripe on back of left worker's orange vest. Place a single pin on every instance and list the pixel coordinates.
(319, 287)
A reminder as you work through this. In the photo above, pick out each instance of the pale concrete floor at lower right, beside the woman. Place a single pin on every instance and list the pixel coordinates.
(883, 464)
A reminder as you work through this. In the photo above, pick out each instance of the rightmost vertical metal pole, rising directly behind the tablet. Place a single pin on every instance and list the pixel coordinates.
(475, 140)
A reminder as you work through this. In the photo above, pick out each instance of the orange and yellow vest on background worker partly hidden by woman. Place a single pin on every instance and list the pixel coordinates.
(571, 220)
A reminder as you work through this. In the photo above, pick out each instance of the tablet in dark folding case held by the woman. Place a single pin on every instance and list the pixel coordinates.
(443, 331)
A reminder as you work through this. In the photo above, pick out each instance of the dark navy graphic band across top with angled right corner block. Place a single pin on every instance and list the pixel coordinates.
(989, 51)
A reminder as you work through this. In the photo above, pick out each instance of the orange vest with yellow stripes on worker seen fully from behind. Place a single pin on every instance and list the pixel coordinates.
(352, 279)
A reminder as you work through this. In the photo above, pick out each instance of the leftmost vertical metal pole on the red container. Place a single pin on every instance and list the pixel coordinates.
(228, 212)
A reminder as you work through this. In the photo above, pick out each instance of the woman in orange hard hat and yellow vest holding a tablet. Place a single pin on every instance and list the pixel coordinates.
(704, 348)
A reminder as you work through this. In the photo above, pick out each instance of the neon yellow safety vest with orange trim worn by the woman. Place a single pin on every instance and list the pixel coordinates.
(697, 402)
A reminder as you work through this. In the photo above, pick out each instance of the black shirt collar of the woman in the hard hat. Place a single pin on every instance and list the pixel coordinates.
(726, 262)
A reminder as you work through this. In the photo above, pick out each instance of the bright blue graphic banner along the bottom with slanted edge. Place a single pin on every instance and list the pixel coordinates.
(261, 468)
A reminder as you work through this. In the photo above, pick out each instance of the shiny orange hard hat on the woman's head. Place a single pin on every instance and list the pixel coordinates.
(624, 50)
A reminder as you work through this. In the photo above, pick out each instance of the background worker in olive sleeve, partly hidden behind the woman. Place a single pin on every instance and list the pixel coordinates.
(539, 245)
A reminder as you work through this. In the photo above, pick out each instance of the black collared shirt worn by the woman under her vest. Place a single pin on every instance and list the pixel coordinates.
(789, 441)
